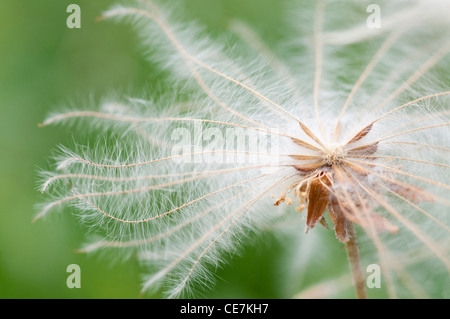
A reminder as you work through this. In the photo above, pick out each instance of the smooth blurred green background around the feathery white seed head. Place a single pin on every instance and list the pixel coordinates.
(43, 64)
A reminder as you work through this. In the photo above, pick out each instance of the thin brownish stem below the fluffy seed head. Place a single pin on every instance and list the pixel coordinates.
(355, 263)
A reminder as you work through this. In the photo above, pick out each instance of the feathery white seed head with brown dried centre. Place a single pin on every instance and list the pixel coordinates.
(352, 127)
